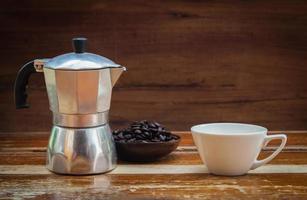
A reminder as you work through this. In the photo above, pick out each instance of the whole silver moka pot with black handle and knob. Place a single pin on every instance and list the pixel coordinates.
(79, 87)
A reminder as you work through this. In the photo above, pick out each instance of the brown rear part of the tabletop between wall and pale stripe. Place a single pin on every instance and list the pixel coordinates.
(29, 148)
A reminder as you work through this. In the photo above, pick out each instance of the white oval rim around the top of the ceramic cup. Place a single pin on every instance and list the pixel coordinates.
(261, 129)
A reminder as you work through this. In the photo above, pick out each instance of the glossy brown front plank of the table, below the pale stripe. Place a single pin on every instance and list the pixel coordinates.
(176, 186)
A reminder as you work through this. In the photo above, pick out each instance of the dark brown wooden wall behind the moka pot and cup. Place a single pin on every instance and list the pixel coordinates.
(188, 61)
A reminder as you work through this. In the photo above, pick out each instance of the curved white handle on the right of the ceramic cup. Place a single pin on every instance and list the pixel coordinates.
(266, 141)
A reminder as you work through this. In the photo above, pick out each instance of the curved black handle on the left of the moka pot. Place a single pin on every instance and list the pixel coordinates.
(21, 84)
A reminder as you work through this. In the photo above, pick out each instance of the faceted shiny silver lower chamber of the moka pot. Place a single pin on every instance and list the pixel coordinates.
(81, 151)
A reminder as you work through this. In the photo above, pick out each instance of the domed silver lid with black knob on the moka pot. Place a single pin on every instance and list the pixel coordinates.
(80, 60)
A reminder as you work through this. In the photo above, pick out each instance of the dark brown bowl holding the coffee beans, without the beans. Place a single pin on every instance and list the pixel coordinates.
(145, 152)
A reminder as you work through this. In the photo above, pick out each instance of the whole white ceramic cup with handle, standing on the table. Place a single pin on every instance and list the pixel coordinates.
(231, 148)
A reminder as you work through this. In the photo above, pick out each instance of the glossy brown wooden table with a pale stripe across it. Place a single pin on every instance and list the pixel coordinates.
(181, 175)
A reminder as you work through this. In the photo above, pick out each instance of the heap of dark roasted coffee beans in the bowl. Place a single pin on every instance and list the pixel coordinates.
(143, 132)
